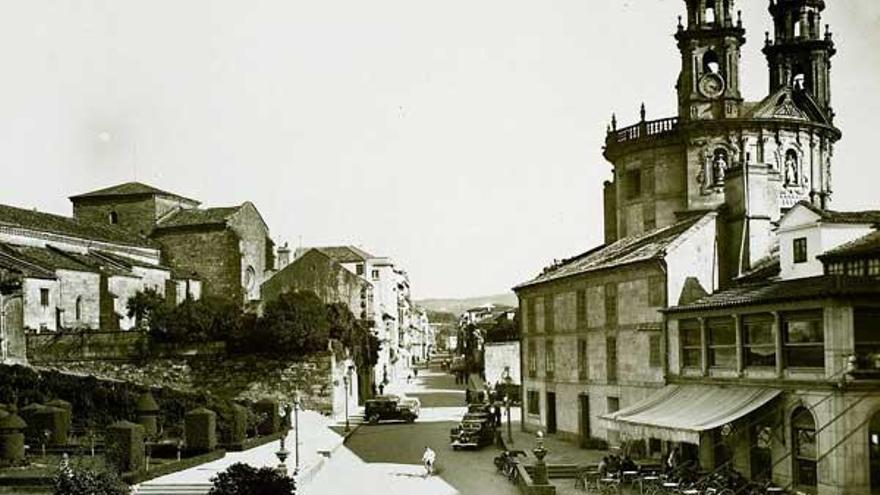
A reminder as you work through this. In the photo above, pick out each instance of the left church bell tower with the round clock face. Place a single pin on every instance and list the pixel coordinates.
(708, 86)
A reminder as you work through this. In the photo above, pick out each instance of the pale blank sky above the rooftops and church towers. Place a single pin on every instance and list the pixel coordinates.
(460, 137)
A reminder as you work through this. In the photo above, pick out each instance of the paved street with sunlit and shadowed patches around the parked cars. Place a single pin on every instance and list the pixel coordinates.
(386, 458)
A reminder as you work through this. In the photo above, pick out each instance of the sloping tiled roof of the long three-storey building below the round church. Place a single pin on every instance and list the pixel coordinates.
(643, 247)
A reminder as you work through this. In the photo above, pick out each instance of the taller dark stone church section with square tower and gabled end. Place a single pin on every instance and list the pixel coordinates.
(228, 248)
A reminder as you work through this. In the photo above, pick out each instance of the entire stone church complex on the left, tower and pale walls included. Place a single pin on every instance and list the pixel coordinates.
(77, 273)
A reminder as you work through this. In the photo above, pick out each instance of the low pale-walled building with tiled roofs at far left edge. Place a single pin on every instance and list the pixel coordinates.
(63, 273)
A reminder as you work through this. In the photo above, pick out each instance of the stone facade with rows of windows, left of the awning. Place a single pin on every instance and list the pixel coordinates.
(635, 333)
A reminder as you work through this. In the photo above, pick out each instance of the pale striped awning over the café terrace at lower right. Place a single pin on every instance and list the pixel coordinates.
(679, 413)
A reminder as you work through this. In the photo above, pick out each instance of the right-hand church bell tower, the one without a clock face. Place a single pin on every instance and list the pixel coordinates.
(800, 55)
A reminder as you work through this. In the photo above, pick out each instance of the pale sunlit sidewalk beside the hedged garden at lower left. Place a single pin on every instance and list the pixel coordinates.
(316, 442)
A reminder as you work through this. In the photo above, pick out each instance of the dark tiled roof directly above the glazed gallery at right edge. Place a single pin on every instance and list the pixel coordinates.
(787, 290)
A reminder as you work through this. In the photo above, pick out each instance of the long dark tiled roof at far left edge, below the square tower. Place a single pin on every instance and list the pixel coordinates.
(56, 224)
